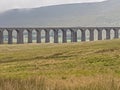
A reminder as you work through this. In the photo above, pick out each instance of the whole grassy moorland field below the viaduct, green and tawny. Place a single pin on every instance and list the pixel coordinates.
(73, 66)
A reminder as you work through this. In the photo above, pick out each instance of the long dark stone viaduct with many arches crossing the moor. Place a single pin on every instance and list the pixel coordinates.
(64, 30)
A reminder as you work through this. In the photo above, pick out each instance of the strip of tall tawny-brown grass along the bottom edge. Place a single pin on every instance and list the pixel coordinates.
(41, 83)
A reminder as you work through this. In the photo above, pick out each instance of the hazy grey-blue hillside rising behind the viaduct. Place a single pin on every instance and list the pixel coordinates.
(105, 13)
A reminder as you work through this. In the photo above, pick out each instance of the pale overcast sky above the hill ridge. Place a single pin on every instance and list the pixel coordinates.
(15, 4)
